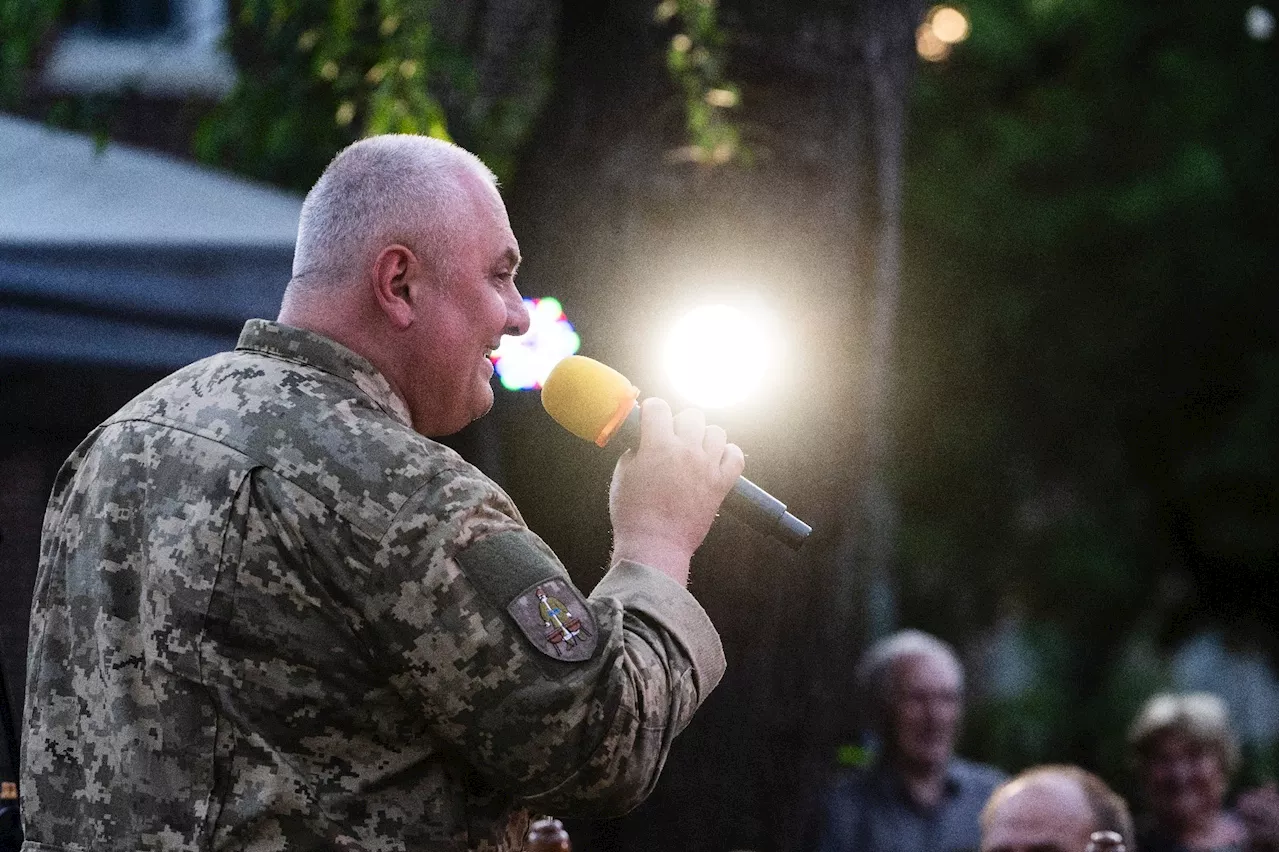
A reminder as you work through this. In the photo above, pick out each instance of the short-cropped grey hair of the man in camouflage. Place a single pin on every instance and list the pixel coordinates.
(385, 190)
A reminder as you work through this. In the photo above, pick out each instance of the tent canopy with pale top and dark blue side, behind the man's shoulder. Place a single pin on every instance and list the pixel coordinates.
(130, 258)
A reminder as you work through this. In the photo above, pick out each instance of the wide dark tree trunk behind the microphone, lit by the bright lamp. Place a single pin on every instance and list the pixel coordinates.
(618, 228)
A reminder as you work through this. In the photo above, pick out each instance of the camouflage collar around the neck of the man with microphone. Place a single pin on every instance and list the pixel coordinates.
(317, 351)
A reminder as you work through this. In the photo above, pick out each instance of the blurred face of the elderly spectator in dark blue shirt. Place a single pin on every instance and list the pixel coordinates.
(925, 711)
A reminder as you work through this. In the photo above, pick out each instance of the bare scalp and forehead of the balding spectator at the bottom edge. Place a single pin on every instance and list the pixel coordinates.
(1048, 814)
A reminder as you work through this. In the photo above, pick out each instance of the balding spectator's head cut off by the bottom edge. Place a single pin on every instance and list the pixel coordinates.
(1053, 809)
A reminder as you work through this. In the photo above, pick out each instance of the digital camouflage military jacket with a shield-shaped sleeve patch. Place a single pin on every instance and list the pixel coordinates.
(269, 616)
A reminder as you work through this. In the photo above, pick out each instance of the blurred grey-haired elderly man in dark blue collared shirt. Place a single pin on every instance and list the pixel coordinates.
(917, 796)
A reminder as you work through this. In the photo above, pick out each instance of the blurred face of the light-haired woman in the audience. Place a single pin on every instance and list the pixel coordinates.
(1185, 781)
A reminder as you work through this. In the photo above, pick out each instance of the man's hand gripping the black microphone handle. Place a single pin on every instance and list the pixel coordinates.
(666, 492)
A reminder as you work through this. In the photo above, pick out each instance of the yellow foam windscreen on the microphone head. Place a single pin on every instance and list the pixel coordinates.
(588, 398)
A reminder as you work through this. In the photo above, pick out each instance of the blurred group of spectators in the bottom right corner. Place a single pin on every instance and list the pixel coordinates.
(915, 793)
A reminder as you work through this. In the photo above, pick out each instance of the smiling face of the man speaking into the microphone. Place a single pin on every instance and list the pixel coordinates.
(464, 318)
